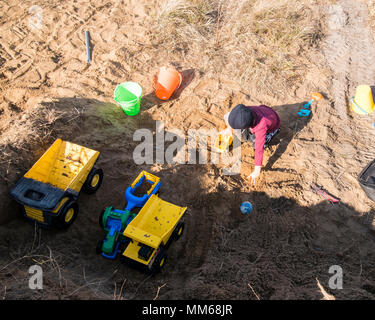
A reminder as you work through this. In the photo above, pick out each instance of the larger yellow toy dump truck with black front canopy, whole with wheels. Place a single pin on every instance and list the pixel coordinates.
(49, 191)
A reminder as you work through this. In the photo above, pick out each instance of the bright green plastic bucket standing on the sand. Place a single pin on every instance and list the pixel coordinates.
(128, 95)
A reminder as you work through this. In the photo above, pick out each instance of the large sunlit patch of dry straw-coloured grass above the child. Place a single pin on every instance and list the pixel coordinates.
(247, 40)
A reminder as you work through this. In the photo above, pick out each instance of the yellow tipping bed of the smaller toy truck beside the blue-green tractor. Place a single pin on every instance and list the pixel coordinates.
(155, 222)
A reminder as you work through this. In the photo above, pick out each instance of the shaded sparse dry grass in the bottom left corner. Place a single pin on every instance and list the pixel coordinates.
(58, 280)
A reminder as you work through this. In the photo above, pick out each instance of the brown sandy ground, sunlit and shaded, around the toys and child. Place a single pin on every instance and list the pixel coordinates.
(281, 250)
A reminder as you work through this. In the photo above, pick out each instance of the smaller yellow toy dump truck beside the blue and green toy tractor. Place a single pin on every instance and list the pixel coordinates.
(151, 232)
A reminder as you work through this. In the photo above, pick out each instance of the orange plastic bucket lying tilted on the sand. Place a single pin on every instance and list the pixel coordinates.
(167, 81)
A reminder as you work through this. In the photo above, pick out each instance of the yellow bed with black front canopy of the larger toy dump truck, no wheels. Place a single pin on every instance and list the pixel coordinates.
(61, 170)
